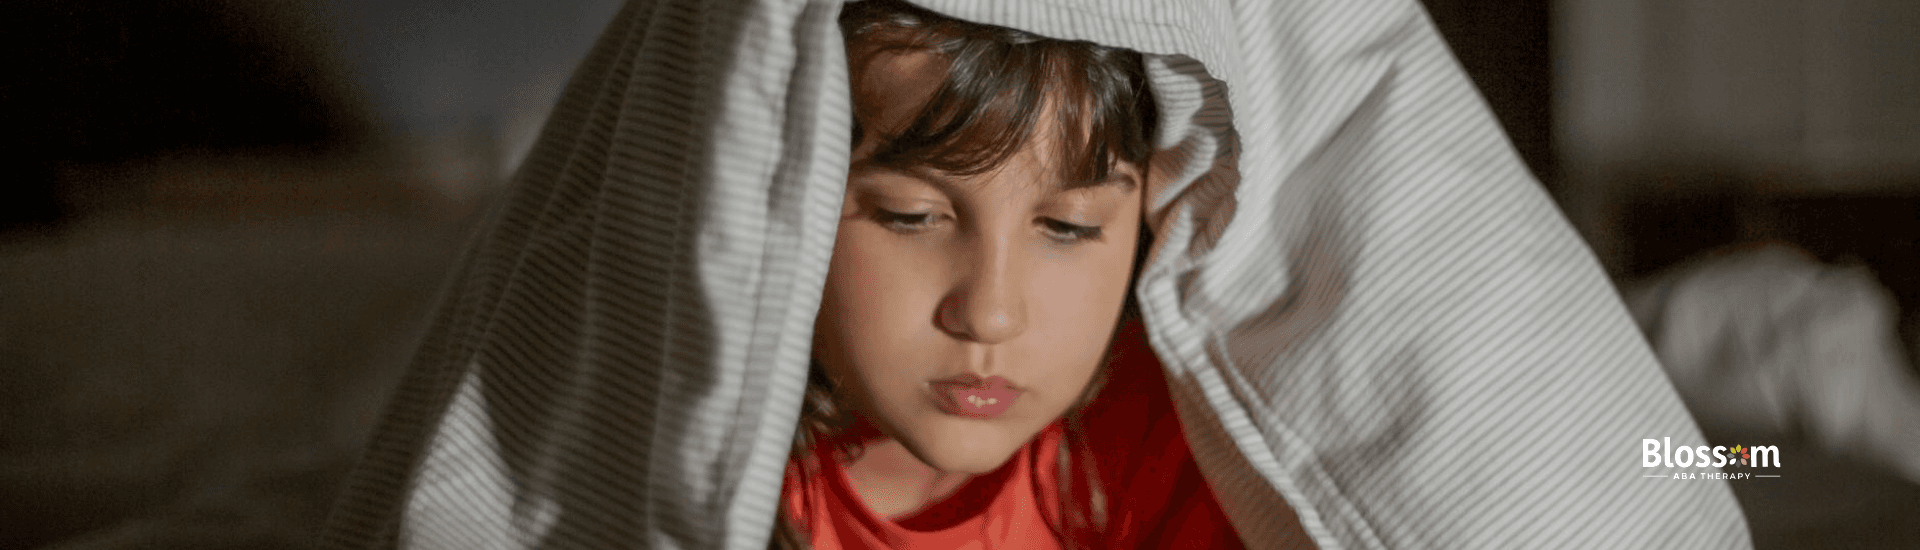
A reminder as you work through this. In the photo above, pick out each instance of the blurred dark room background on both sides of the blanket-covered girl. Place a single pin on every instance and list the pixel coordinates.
(229, 220)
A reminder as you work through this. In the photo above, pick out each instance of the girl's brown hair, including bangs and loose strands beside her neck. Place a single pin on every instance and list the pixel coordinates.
(997, 86)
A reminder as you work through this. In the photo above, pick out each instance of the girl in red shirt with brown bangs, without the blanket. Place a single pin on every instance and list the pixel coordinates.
(984, 253)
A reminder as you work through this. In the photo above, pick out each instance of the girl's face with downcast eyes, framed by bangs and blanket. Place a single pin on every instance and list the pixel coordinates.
(1007, 276)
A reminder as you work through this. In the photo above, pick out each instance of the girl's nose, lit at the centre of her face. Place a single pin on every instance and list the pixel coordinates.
(988, 305)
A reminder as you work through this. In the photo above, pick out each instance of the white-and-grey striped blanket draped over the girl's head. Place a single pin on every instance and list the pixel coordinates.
(1376, 324)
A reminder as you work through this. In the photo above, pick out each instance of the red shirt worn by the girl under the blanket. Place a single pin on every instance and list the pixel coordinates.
(1155, 493)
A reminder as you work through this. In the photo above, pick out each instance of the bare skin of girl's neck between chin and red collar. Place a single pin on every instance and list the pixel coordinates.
(894, 482)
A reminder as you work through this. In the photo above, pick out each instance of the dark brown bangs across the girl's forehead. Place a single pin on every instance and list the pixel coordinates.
(1001, 87)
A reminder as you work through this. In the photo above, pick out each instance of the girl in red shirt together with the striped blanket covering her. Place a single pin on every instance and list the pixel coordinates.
(915, 241)
